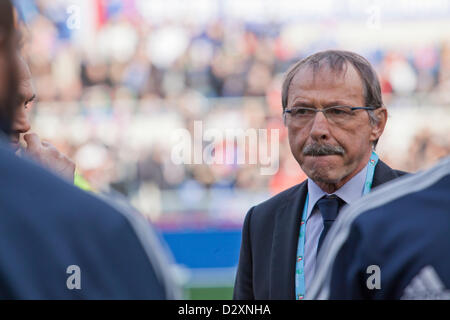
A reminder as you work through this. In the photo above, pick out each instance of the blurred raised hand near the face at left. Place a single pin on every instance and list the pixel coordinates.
(47, 155)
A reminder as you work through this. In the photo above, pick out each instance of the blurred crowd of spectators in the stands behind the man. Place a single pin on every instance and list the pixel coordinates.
(111, 98)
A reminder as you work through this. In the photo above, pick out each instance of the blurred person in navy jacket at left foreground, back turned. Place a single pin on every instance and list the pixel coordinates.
(57, 241)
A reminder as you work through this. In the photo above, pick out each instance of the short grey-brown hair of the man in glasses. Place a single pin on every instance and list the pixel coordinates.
(337, 61)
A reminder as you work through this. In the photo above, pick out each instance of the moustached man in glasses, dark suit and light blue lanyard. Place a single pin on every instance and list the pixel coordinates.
(333, 110)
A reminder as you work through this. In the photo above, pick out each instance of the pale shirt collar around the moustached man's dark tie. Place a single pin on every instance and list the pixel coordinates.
(349, 192)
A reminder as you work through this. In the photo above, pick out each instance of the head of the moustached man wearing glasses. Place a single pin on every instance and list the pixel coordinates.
(329, 153)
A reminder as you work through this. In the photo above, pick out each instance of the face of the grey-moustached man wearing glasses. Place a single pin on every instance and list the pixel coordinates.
(355, 137)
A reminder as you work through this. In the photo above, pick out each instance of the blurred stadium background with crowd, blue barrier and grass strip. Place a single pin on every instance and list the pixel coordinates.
(115, 79)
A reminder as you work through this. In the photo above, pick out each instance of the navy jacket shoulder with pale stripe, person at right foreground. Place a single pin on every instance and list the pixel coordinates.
(393, 244)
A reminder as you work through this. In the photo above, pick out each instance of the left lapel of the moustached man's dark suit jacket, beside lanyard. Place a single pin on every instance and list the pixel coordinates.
(284, 245)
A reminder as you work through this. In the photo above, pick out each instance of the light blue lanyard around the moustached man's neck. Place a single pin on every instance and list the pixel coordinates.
(300, 263)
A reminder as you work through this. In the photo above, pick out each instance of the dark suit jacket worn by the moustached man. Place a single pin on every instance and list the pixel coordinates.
(266, 267)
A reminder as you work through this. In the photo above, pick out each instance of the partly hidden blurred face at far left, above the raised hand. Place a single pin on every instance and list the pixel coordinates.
(21, 123)
